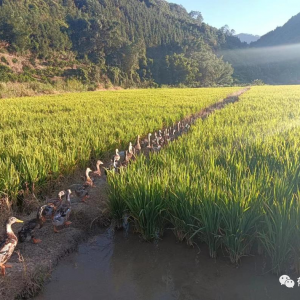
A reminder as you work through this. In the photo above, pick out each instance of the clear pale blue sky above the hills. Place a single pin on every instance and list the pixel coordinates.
(244, 16)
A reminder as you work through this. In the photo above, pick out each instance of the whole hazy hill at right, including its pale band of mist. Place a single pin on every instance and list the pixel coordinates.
(274, 58)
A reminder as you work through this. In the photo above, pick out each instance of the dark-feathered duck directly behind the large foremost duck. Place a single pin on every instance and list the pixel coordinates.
(26, 233)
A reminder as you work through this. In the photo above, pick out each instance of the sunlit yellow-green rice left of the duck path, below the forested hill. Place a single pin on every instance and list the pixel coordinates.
(44, 137)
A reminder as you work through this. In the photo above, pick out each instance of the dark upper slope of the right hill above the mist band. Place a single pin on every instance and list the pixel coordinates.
(289, 33)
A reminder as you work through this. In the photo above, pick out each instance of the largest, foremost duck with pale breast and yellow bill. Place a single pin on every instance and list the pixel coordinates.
(8, 244)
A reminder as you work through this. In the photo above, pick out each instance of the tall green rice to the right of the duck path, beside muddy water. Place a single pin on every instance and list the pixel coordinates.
(231, 183)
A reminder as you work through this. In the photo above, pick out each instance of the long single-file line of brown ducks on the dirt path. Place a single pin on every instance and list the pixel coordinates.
(58, 209)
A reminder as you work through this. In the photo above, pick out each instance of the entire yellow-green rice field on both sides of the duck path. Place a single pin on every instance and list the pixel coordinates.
(231, 183)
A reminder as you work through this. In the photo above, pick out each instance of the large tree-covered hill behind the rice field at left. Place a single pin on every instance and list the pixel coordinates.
(125, 42)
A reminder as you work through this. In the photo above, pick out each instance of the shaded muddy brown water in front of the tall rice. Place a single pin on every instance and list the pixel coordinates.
(122, 268)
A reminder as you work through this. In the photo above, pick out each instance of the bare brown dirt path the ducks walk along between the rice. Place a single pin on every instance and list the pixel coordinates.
(33, 264)
